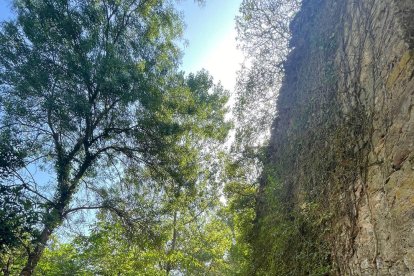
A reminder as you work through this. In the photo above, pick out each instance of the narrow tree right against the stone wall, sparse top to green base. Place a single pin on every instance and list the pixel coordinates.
(263, 29)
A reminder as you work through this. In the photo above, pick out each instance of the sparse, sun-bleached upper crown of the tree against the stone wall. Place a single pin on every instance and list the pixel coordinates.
(263, 34)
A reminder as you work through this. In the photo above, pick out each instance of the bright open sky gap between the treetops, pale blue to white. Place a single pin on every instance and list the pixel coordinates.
(210, 33)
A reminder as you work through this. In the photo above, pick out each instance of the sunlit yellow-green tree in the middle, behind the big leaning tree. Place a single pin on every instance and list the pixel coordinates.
(176, 204)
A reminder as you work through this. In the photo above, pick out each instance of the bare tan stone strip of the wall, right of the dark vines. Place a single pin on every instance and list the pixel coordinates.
(383, 243)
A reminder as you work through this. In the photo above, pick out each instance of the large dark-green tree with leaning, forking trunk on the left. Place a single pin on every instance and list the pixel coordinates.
(104, 93)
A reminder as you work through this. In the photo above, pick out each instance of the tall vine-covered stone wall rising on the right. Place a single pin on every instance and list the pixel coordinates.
(342, 147)
